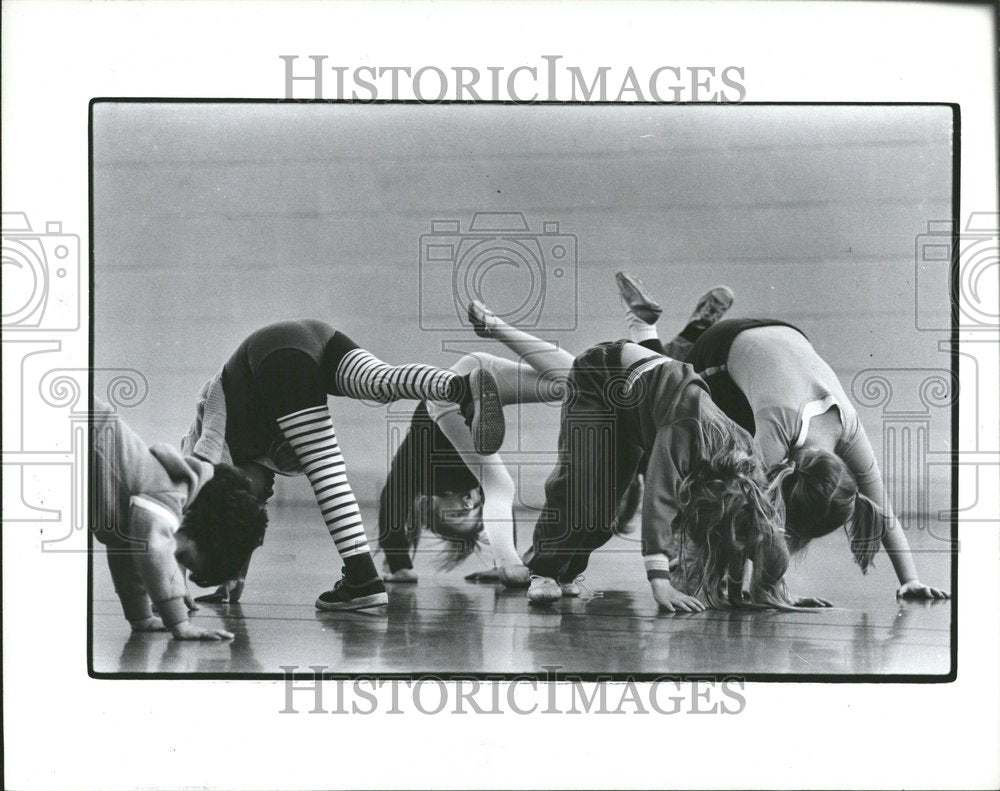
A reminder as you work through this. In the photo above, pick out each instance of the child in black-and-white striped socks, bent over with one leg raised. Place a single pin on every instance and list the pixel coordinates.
(267, 411)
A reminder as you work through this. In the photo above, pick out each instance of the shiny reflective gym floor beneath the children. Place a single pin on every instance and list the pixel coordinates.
(446, 625)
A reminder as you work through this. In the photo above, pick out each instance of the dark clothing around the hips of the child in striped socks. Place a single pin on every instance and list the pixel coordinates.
(279, 369)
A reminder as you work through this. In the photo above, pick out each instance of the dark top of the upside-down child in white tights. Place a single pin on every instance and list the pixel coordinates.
(426, 463)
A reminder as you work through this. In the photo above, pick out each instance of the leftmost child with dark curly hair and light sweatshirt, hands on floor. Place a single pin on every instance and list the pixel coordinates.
(157, 512)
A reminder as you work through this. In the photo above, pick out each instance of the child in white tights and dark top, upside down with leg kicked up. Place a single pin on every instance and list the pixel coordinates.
(438, 482)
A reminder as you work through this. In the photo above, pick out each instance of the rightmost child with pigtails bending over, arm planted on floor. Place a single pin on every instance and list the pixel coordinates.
(768, 378)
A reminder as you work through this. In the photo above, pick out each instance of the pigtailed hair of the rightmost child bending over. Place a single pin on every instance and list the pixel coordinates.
(815, 493)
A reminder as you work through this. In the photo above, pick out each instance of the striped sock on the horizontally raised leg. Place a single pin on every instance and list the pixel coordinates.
(363, 376)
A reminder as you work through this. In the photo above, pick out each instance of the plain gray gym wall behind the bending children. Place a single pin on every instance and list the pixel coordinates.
(213, 220)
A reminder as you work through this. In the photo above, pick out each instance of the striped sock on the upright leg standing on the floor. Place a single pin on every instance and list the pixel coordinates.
(310, 433)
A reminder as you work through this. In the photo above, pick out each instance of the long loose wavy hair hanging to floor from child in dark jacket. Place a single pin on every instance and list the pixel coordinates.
(725, 518)
